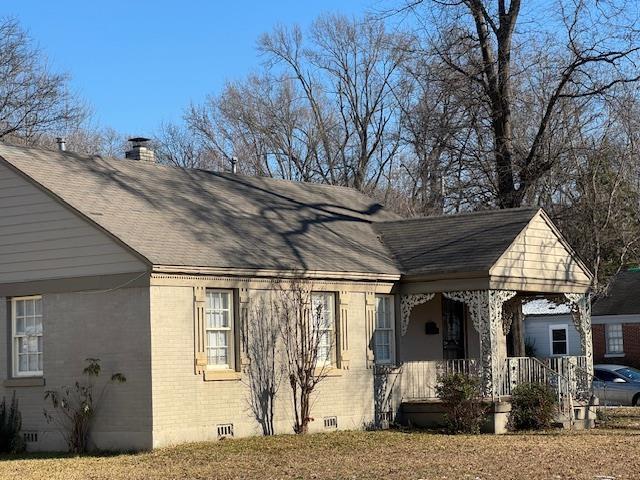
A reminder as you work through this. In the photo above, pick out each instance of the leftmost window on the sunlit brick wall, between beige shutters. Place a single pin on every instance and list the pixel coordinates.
(219, 329)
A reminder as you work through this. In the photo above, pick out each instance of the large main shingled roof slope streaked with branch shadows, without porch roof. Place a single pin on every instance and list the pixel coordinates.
(174, 216)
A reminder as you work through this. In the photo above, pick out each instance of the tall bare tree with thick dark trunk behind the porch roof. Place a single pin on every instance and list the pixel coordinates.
(585, 48)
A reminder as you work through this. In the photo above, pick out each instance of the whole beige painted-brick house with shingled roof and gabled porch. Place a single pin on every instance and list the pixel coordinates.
(154, 270)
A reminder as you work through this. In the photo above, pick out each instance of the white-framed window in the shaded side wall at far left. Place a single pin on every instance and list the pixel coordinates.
(26, 332)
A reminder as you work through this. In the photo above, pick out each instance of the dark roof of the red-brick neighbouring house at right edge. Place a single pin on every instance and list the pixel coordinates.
(622, 296)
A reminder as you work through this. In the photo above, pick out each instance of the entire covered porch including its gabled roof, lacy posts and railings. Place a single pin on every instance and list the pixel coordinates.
(461, 301)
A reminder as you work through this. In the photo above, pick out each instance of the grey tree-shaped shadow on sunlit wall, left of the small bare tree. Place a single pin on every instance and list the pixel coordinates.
(263, 372)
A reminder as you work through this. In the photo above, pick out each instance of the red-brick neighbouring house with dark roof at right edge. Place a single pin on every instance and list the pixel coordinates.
(616, 322)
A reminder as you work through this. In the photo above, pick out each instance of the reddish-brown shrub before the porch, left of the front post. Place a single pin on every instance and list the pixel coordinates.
(461, 397)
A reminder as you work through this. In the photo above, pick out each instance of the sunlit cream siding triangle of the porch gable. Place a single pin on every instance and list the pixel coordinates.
(537, 258)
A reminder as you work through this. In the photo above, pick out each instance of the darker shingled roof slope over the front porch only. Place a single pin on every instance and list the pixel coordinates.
(468, 242)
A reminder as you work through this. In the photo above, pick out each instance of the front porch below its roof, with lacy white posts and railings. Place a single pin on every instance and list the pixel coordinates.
(481, 333)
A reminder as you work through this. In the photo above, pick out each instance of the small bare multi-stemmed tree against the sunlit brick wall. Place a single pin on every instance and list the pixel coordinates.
(308, 346)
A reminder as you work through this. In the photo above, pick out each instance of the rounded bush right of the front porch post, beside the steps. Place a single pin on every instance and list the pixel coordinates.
(533, 407)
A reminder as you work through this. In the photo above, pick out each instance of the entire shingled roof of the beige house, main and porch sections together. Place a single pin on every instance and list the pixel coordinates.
(179, 217)
